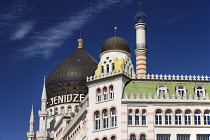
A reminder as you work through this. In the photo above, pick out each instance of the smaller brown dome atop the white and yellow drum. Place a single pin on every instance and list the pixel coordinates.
(115, 43)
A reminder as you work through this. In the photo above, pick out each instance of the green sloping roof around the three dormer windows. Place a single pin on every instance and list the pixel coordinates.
(140, 87)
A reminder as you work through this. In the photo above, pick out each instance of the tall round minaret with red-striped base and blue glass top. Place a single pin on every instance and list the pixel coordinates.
(141, 47)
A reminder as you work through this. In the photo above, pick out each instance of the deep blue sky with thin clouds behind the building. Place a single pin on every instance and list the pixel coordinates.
(36, 35)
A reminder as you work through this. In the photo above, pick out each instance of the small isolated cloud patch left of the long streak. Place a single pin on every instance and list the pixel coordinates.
(22, 30)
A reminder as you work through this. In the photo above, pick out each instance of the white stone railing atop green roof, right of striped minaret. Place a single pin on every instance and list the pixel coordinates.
(173, 77)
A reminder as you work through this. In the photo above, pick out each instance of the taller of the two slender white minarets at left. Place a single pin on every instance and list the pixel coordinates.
(42, 133)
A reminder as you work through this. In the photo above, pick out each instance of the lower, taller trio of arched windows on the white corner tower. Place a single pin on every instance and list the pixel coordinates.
(106, 120)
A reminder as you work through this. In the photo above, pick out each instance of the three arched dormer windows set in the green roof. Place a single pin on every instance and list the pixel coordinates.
(180, 90)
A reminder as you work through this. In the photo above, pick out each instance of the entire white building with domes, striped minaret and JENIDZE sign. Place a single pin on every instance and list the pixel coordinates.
(118, 103)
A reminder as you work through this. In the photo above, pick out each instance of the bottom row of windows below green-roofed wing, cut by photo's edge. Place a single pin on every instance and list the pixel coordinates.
(168, 137)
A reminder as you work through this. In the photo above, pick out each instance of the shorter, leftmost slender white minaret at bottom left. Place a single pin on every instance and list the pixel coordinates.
(31, 134)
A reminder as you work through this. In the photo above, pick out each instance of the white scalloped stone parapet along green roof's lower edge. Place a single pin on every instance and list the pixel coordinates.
(168, 98)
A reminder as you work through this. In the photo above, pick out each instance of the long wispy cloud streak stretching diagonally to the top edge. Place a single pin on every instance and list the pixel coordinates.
(46, 42)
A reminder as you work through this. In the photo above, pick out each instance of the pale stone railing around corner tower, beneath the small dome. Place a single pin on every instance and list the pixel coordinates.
(104, 75)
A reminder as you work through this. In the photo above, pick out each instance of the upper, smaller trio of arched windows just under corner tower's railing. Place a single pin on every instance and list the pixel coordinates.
(105, 94)
